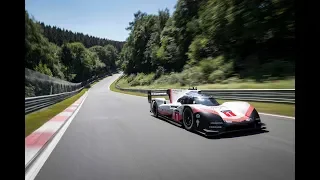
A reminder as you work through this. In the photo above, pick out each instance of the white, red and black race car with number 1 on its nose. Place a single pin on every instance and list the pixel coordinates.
(202, 113)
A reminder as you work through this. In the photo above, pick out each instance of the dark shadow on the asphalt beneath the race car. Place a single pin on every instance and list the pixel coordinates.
(222, 136)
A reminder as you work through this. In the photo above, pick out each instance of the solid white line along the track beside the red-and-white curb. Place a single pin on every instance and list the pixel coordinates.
(41, 159)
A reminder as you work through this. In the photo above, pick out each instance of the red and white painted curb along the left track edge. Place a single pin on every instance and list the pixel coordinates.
(37, 140)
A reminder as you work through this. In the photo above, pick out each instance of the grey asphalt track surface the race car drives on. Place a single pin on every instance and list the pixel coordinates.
(114, 137)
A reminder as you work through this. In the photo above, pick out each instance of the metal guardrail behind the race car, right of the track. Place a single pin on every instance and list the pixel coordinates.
(258, 95)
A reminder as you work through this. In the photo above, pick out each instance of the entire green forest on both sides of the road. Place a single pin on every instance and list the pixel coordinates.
(201, 42)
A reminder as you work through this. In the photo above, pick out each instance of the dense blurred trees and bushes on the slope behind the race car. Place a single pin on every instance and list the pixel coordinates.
(210, 41)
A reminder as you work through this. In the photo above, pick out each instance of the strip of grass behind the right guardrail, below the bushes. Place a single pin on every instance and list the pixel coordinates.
(245, 84)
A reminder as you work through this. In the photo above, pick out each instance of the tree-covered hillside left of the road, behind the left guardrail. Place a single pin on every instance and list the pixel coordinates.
(65, 58)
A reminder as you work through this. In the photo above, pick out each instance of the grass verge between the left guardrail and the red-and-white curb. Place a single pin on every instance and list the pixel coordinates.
(36, 119)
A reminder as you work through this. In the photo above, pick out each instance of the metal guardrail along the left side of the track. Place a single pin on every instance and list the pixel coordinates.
(36, 103)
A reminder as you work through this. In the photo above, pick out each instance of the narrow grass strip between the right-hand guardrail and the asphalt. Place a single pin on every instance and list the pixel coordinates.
(272, 108)
